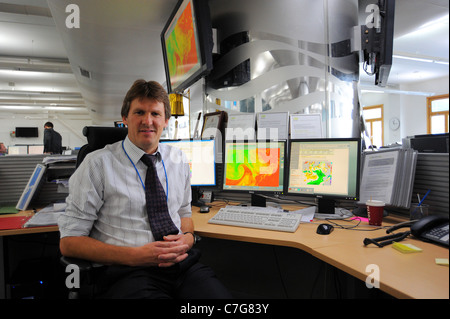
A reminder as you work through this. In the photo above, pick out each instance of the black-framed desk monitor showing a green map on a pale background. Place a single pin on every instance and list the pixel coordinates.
(327, 169)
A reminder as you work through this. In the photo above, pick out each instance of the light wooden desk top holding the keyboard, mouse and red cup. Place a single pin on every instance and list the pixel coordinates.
(401, 275)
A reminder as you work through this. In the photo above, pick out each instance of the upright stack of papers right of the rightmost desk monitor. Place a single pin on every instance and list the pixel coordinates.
(388, 176)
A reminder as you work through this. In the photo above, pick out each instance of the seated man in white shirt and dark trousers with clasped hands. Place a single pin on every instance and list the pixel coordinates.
(106, 219)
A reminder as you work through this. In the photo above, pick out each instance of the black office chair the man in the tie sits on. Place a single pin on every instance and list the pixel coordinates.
(97, 137)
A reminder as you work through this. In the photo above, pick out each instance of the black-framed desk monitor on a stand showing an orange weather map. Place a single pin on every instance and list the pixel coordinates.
(254, 167)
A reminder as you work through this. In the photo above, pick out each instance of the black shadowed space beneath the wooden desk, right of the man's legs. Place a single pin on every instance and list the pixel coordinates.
(272, 272)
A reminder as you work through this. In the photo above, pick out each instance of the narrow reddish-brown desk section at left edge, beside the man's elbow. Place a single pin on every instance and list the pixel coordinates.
(12, 232)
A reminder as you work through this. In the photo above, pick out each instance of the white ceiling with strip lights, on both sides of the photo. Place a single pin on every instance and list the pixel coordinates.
(118, 42)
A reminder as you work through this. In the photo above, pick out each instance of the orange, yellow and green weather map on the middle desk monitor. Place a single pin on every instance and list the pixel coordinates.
(258, 168)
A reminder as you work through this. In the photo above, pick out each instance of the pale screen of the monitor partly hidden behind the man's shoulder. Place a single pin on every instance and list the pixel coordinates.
(201, 157)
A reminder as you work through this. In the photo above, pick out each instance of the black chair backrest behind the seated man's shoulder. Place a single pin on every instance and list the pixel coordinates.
(98, 137)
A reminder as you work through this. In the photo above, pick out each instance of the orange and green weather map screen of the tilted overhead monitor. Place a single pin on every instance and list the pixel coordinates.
(182, 46)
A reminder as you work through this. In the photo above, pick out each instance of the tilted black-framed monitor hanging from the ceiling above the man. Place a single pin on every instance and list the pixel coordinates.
(187, 44)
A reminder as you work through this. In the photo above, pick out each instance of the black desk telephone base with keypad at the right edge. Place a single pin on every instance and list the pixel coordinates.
(432, 228)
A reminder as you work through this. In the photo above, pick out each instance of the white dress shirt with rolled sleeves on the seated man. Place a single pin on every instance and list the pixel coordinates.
(107, 199)
